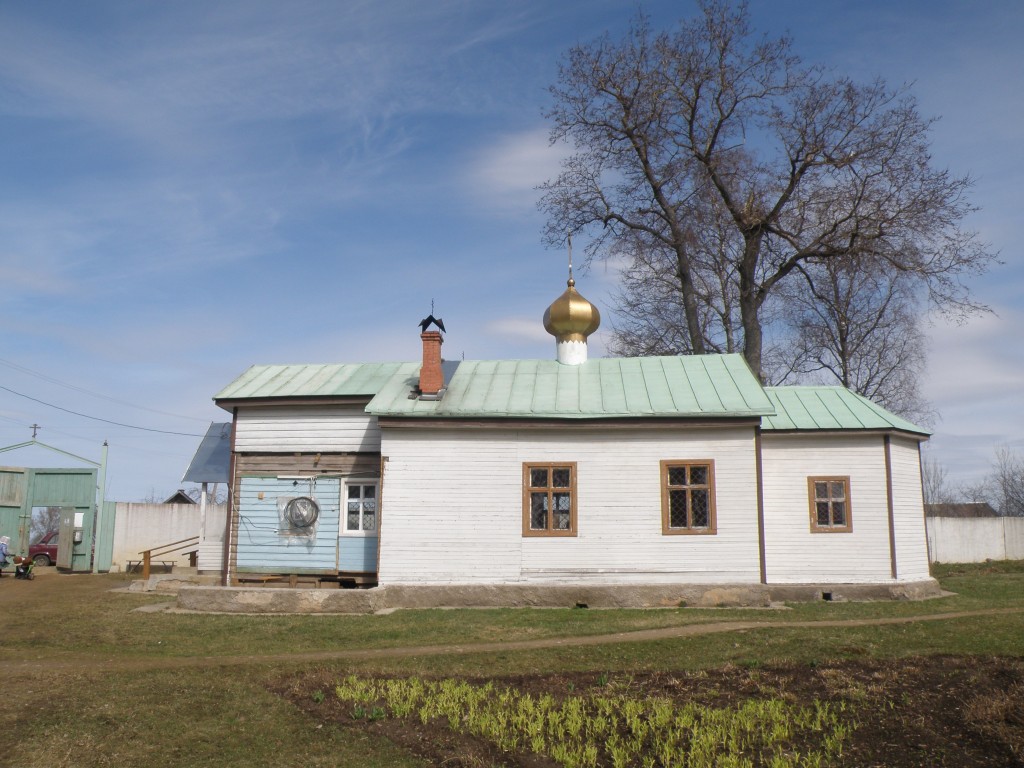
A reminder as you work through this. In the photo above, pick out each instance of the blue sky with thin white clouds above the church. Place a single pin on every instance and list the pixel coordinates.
(189, 189)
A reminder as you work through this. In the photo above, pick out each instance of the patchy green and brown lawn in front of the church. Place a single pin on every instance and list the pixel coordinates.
(91, 681)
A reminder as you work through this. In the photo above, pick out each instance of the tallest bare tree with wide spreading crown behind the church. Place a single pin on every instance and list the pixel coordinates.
(675, 133)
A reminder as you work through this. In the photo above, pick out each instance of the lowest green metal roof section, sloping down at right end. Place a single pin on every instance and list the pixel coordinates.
(830, 408)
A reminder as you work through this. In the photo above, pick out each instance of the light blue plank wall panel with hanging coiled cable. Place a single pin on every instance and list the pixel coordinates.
(264, 545)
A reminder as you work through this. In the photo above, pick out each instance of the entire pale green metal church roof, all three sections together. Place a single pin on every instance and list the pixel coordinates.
(688, 387)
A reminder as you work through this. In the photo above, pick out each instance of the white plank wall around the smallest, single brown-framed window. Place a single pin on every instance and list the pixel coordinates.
(793, 553)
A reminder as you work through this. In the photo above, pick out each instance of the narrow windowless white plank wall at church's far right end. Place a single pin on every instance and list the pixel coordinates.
(909, 511)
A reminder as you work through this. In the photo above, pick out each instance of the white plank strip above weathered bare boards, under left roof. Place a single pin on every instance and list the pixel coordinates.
(307, 430)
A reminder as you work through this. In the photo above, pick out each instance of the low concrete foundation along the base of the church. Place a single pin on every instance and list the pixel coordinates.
(285, 601)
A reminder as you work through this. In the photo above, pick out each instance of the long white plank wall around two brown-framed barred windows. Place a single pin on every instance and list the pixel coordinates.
(453, 507)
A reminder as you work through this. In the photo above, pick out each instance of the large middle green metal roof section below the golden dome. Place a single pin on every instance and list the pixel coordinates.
(673, 387)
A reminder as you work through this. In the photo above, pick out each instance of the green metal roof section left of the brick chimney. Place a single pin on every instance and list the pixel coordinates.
(315, 381)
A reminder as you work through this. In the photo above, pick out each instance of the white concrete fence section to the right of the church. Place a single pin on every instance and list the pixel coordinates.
(975, 539)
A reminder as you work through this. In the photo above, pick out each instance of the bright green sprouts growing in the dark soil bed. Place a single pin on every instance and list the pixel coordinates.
(615, 731)
